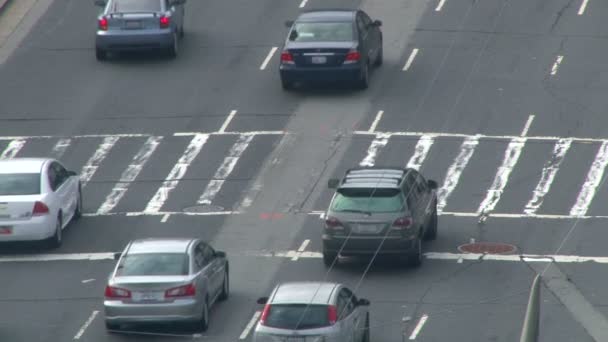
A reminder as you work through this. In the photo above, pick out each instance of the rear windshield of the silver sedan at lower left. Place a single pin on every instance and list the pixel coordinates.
(154, 264)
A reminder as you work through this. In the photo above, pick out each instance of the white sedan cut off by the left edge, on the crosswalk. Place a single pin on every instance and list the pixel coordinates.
(38, 198)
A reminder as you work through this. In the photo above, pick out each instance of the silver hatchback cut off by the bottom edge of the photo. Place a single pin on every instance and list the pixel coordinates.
(313, 312)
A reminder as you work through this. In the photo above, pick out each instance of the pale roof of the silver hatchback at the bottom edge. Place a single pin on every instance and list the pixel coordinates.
(307, 292)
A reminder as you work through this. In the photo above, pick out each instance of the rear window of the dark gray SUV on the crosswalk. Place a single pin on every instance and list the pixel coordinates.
(368, 200)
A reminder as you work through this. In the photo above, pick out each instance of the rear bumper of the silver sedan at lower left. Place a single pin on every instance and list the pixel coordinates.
(184, 310)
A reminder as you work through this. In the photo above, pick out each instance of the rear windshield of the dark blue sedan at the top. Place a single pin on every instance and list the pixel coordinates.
(322, 32)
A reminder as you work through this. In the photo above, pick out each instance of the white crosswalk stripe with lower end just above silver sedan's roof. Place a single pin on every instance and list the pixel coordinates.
(177, 173)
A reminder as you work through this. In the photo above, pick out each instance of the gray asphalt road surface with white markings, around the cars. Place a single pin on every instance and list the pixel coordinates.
(501, 101)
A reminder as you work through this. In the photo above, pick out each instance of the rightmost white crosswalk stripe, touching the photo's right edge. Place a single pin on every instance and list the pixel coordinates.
(594, 178)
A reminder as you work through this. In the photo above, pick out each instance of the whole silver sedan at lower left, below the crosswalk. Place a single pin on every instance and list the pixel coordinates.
(166, 281)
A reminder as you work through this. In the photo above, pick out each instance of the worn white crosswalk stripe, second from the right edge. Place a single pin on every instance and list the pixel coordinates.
(548, 175)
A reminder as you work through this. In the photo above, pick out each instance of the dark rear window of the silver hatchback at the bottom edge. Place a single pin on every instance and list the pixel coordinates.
(297, 316)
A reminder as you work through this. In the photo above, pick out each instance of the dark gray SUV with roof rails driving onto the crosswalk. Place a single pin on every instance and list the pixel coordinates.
(389, 210)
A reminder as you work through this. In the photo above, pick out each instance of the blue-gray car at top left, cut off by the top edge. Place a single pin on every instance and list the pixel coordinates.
(125, 25)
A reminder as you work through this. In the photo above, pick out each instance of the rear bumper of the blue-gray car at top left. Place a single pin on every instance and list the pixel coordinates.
(132, 40)
